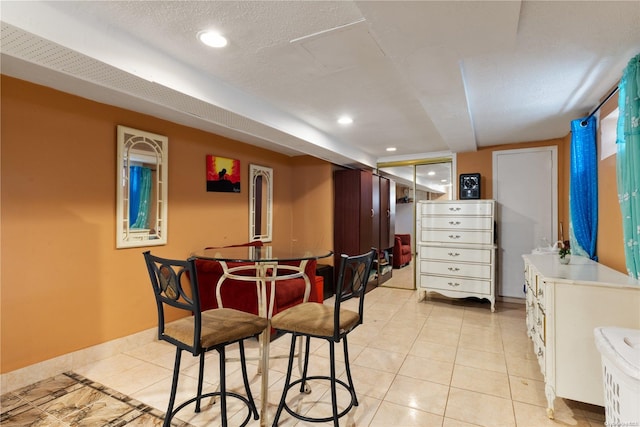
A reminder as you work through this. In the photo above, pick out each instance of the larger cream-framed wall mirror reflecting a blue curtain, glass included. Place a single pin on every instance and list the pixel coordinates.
(141, 215)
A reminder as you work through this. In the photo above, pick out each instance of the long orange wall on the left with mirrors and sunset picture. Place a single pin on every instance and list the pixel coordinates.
(65, 286)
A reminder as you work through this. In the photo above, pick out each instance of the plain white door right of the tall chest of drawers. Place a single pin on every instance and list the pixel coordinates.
(525, 187)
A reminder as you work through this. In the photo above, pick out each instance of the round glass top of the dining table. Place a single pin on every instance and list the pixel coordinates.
(266, 253)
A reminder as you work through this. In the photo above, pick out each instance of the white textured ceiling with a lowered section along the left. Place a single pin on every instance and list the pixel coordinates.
(425, 76)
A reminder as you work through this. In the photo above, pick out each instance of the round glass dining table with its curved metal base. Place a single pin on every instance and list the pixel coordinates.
(263, 265)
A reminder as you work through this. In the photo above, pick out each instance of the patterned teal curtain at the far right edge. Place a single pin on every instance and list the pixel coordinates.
(628, 163)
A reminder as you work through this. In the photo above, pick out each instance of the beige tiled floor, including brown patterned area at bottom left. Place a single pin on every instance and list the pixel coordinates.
(415, 363)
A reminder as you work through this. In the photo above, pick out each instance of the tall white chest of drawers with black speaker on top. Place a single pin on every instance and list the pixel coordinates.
(456, 250)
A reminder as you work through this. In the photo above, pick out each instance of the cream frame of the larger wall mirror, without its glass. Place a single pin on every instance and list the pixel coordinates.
(154, 152)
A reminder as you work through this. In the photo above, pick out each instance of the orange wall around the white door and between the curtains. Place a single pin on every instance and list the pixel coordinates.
(610, 249)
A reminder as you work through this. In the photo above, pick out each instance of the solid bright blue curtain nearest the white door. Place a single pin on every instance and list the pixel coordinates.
(583, 188)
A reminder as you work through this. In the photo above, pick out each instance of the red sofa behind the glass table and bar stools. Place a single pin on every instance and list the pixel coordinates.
(243, 295)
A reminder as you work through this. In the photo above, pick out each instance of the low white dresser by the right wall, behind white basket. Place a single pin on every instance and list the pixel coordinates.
(565, 303)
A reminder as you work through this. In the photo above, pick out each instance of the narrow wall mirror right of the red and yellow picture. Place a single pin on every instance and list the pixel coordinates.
(260, 203)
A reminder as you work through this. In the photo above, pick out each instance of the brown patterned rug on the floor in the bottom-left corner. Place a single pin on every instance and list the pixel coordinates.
(71, 400)
